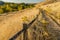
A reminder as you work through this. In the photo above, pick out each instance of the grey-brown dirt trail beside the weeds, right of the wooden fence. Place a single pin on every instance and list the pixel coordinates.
(52, 27)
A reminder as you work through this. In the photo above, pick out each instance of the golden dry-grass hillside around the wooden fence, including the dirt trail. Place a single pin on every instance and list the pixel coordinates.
(10, 23)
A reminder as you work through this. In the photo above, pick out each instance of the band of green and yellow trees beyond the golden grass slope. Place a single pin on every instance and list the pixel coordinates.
(10, 7)
